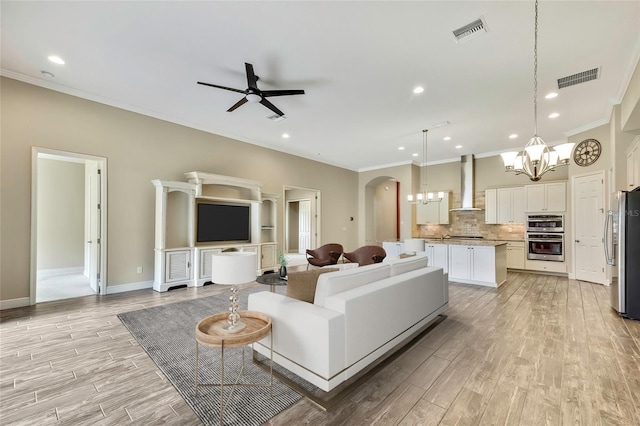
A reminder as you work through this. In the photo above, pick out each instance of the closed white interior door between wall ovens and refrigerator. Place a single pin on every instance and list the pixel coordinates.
(589, 221)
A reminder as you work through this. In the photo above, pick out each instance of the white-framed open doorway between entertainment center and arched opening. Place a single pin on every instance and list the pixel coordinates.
(302, 222)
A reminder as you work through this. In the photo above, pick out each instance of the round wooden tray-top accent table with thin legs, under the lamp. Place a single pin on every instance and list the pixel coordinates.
(209, 332)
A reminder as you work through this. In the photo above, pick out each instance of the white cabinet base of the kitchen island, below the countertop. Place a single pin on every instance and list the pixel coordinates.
(482, 265)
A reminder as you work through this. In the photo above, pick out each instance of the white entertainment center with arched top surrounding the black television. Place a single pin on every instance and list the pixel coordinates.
(179, 258)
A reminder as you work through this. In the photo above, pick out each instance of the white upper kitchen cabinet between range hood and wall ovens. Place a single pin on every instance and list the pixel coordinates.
(504, 205)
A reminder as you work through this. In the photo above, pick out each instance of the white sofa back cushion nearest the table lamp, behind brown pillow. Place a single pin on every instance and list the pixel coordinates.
(330, 284)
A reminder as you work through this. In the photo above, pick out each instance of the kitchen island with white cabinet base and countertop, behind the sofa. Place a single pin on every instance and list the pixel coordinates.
(472, 261)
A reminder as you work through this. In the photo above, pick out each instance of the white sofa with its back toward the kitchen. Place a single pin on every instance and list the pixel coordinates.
(357, 316)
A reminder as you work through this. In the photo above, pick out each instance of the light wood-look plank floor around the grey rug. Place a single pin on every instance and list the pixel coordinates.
(539, 350)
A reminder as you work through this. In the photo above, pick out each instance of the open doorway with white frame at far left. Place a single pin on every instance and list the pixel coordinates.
(68, 248)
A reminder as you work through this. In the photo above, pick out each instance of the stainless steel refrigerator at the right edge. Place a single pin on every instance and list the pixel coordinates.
(622, 249)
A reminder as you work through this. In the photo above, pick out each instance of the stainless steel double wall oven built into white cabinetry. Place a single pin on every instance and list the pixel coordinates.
(545, 237)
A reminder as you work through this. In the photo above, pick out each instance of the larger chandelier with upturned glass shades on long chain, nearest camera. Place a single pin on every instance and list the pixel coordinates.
(536, 159)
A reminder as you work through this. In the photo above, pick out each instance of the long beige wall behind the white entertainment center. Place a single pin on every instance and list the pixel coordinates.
(138, 149)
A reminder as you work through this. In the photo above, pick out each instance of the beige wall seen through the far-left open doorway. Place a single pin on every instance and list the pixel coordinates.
(60, 214)
